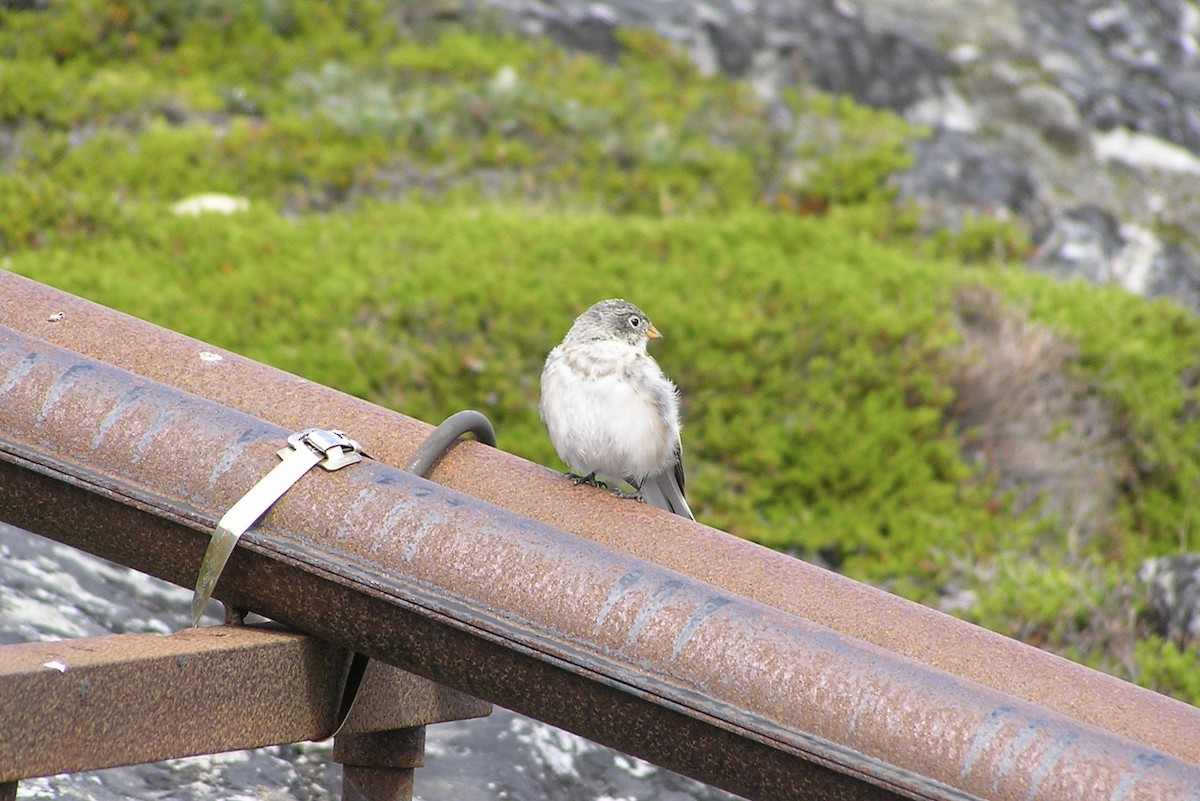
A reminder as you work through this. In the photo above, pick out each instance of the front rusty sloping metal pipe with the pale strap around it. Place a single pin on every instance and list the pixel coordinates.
(625, 652)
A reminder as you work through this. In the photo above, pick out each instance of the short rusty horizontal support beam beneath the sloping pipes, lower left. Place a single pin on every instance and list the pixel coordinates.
(124, 700)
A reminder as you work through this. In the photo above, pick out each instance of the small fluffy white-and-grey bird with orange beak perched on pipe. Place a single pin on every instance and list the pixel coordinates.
(609, 408)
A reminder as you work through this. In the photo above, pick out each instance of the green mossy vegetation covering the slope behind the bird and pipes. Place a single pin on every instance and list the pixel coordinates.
(433, 201)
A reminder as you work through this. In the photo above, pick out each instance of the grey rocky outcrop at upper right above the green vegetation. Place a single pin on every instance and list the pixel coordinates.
(1078, 121)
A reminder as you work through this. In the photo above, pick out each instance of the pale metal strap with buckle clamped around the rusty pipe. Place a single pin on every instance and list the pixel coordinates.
(332, 450)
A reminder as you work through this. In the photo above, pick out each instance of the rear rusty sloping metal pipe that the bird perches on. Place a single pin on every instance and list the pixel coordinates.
(734, 565)
